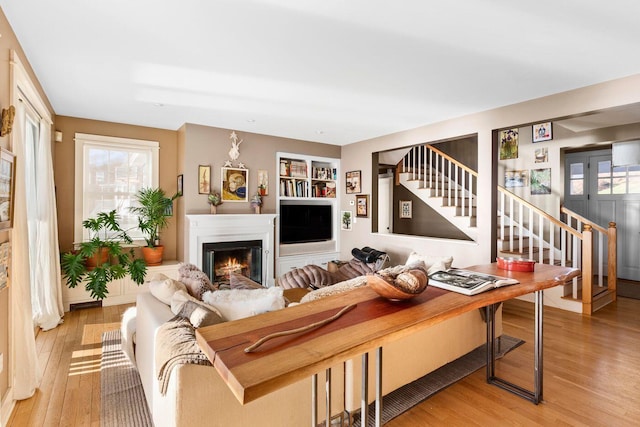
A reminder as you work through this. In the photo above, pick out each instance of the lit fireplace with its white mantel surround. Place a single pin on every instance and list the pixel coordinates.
(249, 238)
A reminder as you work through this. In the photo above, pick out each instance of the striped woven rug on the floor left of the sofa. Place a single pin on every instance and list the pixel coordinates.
(122, 396)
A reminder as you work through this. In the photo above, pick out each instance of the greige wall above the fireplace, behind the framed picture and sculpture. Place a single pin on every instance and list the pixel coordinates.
(203, 145)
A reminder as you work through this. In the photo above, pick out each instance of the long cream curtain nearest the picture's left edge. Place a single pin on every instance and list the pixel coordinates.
(27, 370)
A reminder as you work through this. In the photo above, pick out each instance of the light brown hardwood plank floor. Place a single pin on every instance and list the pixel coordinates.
(591, 367)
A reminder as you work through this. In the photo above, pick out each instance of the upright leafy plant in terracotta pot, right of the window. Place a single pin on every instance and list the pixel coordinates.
(153, 216)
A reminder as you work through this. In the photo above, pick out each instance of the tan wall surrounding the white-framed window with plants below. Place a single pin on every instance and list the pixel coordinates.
(65, 174)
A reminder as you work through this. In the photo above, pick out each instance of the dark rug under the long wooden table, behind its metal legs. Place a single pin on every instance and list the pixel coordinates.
(406, 397)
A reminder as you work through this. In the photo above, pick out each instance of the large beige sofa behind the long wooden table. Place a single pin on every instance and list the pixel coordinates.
(197, 395)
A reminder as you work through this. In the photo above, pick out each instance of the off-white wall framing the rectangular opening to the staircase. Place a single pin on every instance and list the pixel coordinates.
(597, 97)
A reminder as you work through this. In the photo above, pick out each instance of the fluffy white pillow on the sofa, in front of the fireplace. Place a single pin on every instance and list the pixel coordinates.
(240, 303)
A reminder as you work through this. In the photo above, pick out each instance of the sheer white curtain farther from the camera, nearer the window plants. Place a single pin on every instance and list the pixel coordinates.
(46, 288)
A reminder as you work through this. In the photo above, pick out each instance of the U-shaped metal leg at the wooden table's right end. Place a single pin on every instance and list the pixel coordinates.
(534, 396)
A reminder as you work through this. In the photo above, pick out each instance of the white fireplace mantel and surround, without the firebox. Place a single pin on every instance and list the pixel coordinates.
(202, 229)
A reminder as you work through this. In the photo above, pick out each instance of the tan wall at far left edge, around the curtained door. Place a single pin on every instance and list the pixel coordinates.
(9, 42)
